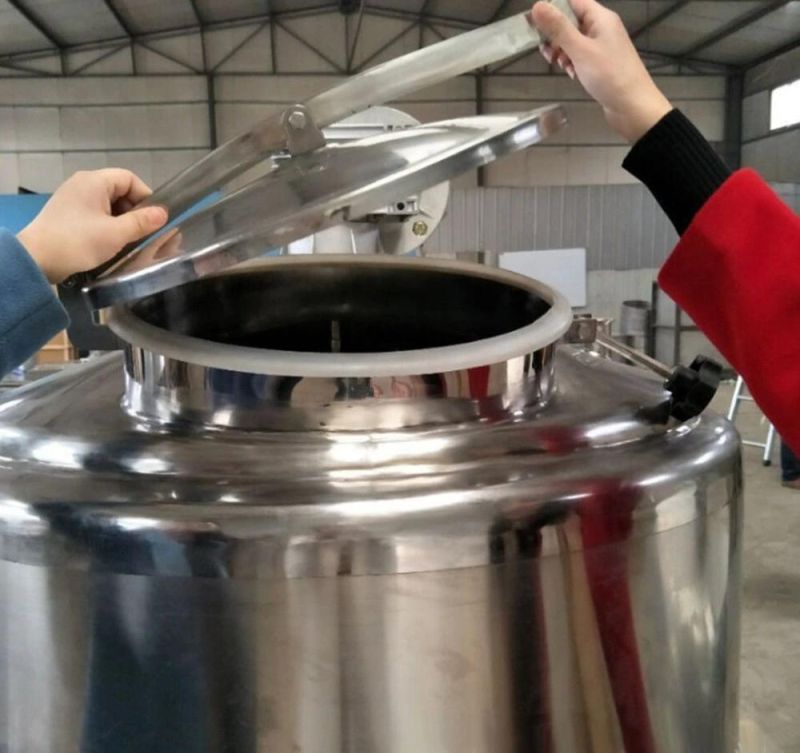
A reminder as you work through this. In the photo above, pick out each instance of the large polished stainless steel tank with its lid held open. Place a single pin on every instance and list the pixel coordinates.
(362, 504)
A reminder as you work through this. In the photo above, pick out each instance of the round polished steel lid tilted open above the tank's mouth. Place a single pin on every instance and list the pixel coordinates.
(316, 190)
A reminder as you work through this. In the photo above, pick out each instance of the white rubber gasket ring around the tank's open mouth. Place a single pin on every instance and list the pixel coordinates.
(539, 334)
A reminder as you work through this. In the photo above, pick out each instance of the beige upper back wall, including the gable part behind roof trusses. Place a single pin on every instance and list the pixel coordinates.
(159, 121)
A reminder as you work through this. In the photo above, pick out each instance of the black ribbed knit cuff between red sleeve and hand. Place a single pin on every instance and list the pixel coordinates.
(679, 166)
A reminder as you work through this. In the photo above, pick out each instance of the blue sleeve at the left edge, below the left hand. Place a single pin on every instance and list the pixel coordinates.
(30, 313)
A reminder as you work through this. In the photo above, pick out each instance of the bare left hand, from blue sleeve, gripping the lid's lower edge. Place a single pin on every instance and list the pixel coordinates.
(88, 220)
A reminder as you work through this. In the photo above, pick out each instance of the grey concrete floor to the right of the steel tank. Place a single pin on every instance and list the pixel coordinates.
(770, 673)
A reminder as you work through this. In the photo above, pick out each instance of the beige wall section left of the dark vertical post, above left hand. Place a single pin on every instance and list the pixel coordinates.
(49, 127)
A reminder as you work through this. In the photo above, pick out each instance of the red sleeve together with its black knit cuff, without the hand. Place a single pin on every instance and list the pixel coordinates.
(744, 299)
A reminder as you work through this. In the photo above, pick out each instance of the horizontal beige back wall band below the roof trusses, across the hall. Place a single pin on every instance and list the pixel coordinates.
(156, 125)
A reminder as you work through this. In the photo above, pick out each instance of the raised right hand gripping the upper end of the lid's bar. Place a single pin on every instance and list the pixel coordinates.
(602, 57)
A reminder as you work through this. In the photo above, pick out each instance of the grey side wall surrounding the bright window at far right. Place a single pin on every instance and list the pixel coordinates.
(775, 155)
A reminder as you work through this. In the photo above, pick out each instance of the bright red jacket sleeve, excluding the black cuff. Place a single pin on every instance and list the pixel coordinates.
(736, 272)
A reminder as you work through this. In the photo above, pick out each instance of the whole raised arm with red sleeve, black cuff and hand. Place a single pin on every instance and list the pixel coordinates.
(736, 270)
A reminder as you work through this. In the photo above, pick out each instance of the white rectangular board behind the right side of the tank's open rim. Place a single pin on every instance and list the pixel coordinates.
(563, 269)
